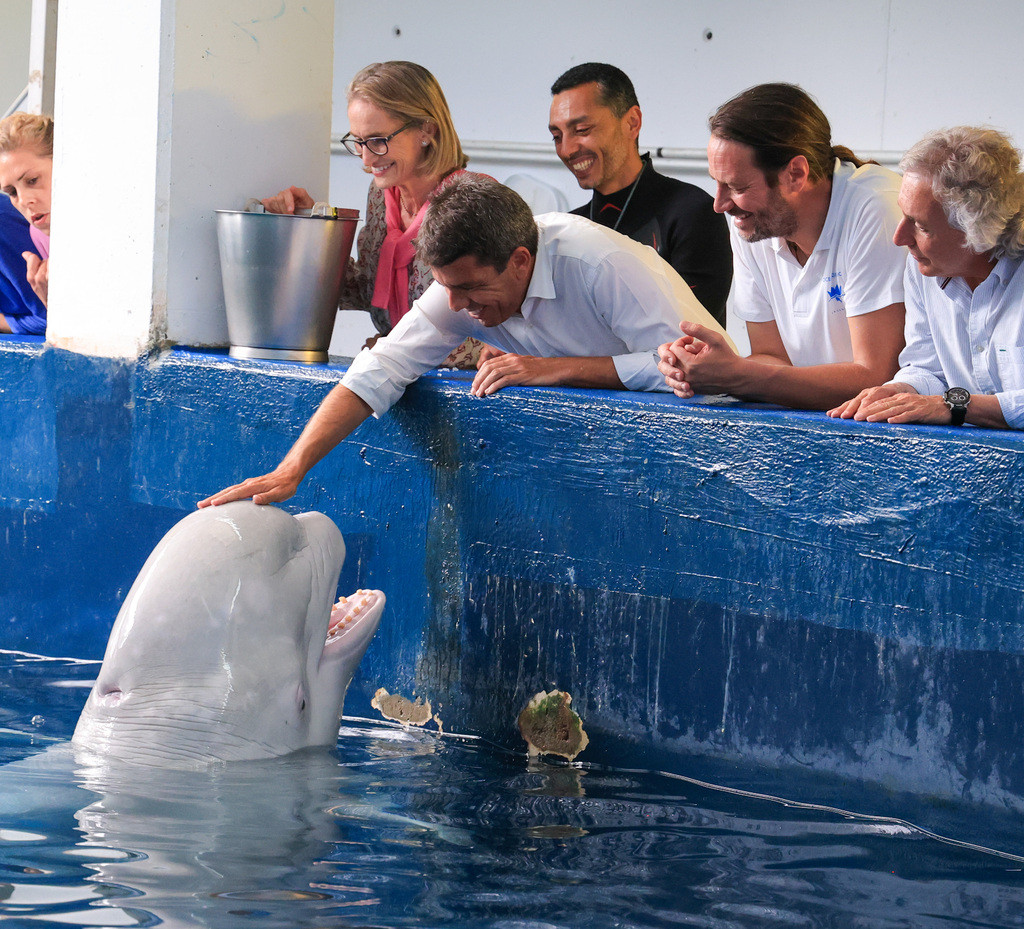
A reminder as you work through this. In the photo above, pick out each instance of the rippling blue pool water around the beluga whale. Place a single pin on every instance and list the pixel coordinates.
(410, 829)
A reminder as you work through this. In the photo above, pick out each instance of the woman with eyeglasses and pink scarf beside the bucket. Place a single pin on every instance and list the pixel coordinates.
(401, 128)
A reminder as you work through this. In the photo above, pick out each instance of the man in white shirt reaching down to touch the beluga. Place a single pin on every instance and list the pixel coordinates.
(568, 302)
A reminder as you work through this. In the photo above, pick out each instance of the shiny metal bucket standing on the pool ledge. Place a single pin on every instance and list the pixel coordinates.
(283, 276)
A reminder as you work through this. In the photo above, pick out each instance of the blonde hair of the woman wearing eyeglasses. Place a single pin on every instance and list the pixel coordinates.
(411, 94)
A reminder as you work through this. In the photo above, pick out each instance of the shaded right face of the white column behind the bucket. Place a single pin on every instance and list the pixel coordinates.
(251, 85)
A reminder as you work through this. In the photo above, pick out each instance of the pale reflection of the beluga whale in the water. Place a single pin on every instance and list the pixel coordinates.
(209, 842)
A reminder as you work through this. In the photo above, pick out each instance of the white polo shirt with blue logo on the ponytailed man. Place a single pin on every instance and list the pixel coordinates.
(855, 270)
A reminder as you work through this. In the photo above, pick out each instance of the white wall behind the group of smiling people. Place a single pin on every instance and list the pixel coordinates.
(884, 71)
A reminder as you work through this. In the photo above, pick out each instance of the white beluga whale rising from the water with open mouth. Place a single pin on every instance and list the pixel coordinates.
(219, 652)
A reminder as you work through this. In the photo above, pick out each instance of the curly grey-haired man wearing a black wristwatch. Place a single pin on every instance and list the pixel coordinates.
(963, 203)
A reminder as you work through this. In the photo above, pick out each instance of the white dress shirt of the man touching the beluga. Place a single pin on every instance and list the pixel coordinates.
(593, 293)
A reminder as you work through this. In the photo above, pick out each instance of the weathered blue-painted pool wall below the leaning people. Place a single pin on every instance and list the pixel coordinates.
(706, 579)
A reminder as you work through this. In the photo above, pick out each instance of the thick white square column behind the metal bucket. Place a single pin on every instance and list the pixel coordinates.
(167, 111)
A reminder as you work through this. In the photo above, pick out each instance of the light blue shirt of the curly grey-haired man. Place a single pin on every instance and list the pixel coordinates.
(957, 337)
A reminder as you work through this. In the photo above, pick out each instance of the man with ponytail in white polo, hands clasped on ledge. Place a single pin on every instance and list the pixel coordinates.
(817, 276)
